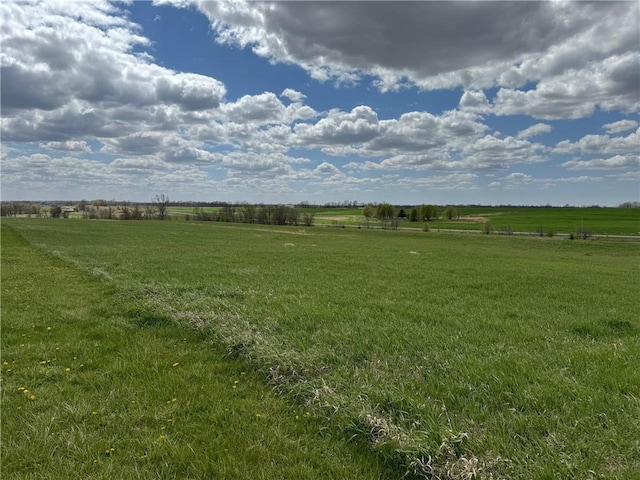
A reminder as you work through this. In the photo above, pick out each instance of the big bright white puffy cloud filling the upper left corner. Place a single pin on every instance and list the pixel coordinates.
(71, 70)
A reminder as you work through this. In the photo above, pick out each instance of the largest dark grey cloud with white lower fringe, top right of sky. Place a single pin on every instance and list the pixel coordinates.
(512, 42)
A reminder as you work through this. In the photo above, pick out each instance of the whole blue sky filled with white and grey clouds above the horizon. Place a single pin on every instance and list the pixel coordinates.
(406, 102)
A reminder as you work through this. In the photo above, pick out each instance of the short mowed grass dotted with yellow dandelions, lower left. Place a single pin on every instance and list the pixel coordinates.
(93, 390)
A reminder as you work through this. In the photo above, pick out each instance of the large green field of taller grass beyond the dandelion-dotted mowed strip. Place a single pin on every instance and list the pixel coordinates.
(452, 355)
